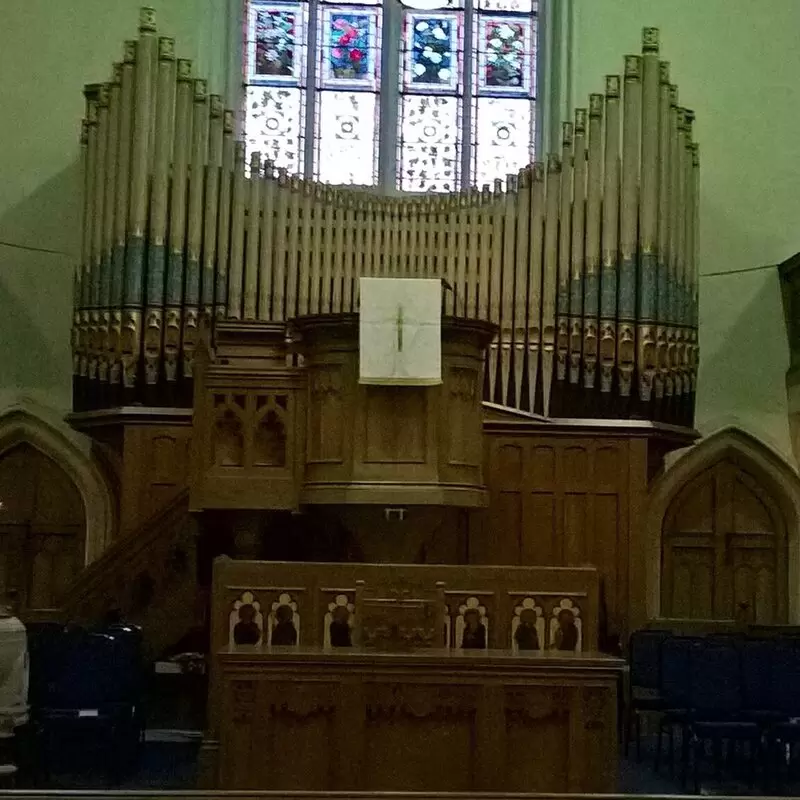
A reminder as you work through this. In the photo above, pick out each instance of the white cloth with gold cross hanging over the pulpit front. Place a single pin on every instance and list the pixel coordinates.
(400, 331)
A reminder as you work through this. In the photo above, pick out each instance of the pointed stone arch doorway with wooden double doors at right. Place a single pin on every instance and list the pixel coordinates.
(723, 523)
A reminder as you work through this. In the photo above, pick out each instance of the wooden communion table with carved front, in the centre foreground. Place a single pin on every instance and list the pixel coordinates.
(312, 718)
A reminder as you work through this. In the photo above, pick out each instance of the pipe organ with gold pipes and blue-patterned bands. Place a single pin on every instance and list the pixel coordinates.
(585, 261)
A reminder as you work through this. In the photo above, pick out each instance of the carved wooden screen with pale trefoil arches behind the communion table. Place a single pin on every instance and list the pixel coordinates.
(485, 603)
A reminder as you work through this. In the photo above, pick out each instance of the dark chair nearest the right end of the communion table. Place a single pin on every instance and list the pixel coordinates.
(644, 681)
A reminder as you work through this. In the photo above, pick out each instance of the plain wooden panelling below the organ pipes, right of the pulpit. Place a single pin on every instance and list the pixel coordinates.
(562, 501)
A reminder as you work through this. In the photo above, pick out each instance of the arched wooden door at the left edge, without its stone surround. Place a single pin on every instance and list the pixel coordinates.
(42, 528)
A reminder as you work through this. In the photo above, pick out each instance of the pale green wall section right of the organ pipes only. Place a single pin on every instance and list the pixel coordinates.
(737, 64)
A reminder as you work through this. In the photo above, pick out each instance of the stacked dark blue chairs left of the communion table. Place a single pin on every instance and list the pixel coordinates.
(86, 686)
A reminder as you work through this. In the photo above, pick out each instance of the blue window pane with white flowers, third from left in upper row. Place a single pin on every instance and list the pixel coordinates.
(432, 51)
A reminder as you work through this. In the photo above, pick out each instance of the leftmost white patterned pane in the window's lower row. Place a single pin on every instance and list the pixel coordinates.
(274, 124)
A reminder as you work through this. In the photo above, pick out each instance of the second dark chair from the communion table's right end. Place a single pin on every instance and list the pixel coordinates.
(676, 656)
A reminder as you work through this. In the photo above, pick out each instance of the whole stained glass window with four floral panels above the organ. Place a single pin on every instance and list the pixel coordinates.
(430, 101)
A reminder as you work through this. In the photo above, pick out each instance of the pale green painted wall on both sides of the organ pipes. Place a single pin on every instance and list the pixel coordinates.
(737, 63)
